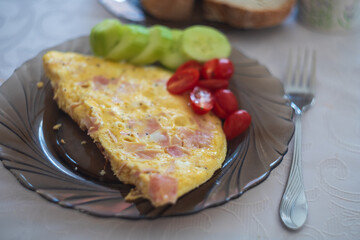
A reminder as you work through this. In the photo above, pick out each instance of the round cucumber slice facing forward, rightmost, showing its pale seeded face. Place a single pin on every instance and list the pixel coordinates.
(203, 43)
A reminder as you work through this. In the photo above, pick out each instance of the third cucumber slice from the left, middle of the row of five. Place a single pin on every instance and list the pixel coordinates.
(159, 42)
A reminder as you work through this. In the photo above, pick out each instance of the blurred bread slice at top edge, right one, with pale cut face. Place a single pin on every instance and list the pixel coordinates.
(248, 13)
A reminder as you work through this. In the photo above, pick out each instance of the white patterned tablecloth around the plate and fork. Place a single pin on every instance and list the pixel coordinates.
(331, 139)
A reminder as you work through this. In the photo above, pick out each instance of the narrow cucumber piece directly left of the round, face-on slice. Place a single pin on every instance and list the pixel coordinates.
(174, 57)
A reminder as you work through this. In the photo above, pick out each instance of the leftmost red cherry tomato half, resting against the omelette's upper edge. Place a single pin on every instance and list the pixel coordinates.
(183, 81)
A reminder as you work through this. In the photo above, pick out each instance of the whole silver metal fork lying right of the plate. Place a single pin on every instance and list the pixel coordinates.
(300, 90)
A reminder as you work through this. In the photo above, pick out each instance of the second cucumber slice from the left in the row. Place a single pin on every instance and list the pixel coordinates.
(133, 41)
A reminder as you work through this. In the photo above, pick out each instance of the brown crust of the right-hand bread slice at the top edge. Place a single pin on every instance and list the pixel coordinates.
(242, 17)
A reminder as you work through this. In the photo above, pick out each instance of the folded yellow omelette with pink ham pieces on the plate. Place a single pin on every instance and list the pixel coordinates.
(152, 139)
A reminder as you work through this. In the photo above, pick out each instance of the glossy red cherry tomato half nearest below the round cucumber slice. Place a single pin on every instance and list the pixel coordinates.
(217, 68)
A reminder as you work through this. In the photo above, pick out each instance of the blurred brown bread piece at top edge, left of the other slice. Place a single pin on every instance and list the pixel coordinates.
(174, 10)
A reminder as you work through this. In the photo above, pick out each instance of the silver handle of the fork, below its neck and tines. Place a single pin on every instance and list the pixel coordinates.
(293, 202)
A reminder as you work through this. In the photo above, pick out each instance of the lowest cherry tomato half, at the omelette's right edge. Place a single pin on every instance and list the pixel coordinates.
(236, 123)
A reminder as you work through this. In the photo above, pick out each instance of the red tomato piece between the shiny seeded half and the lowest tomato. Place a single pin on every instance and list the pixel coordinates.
(225, 103)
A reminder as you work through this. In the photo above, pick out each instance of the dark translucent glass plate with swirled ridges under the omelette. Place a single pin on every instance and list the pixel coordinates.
(68, 174)
